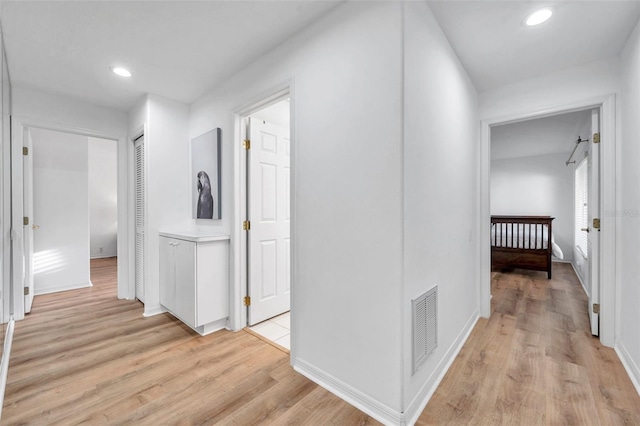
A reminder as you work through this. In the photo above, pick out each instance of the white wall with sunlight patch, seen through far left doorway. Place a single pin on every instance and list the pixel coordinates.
(61, 210)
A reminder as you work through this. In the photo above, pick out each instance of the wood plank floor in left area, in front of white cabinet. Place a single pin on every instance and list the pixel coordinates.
(84, 357)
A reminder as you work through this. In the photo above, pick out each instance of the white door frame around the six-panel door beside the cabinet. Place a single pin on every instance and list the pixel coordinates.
(238, 312)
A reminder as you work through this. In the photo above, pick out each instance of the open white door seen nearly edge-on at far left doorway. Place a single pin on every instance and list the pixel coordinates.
(29, 227)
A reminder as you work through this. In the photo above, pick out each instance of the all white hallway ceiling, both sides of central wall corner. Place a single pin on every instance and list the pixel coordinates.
(181, 49)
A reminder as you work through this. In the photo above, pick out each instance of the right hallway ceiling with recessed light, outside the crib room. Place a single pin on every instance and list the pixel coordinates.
(496, 49)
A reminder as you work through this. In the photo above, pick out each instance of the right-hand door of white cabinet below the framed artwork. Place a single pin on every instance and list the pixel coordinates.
(185, 293)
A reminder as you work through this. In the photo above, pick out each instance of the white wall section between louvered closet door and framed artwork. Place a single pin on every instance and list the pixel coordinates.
(167, 197)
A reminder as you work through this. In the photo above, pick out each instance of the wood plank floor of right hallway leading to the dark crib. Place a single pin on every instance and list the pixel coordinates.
(534, 362)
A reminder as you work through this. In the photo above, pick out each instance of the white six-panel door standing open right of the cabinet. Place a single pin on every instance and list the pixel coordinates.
(269, 216)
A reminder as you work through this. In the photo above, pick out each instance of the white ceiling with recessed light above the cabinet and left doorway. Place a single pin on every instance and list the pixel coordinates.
(176, 49)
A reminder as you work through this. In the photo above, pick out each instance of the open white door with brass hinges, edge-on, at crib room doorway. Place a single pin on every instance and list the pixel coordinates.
(593, 236)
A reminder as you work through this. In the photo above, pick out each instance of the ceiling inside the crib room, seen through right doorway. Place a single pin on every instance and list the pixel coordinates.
(542, 136)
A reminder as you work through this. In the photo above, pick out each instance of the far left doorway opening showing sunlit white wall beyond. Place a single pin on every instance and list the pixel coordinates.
(70, 200)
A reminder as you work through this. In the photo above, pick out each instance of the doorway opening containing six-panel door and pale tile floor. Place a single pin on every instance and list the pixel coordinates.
(268, 194)
